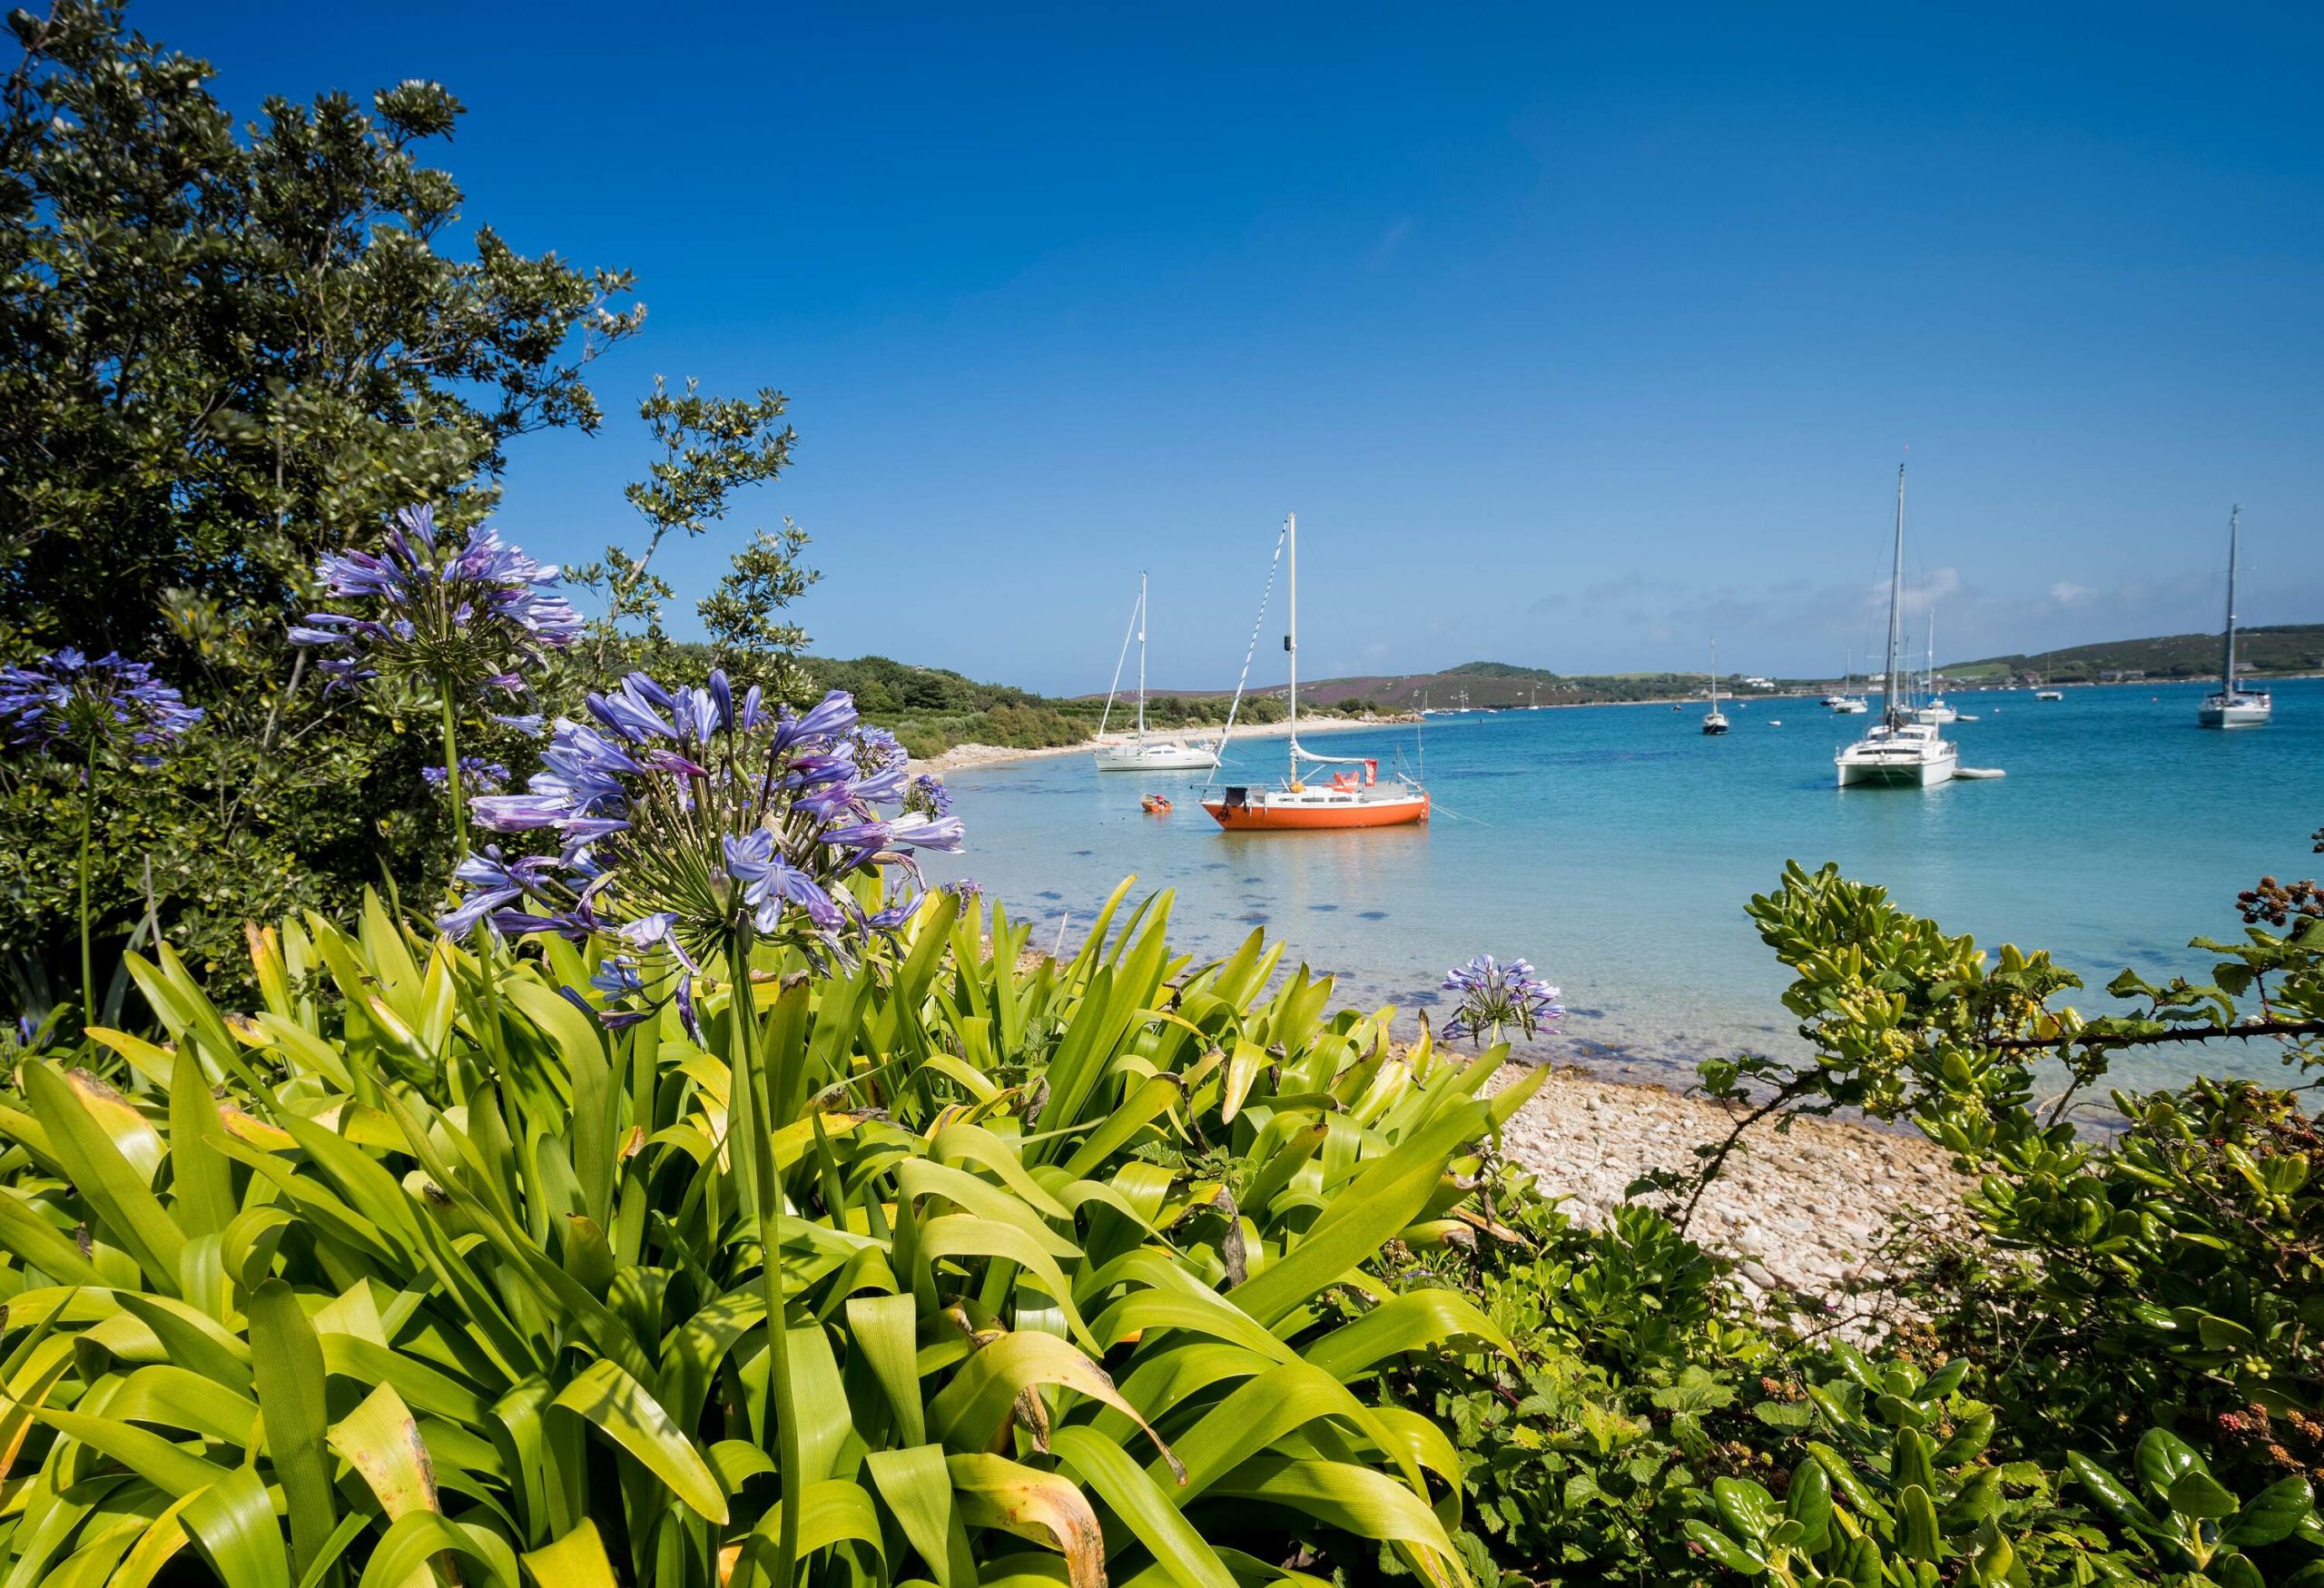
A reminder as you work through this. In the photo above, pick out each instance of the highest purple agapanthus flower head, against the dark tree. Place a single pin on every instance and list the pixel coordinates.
(480, 613)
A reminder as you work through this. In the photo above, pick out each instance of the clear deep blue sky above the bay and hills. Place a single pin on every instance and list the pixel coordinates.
(1572, 338)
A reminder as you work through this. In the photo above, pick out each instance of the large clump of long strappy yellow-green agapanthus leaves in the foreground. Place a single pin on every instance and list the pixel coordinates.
(403, 1268)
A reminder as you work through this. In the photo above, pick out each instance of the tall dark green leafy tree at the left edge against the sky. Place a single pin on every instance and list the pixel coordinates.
(227, 350)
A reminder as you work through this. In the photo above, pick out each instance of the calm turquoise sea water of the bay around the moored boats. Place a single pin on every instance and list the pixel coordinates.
(1616, 850)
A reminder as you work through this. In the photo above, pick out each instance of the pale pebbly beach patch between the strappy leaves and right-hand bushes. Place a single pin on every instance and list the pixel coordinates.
(1805, 1213)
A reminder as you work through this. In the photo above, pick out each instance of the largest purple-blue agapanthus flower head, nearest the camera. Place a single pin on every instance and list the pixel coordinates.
(687, 815)
